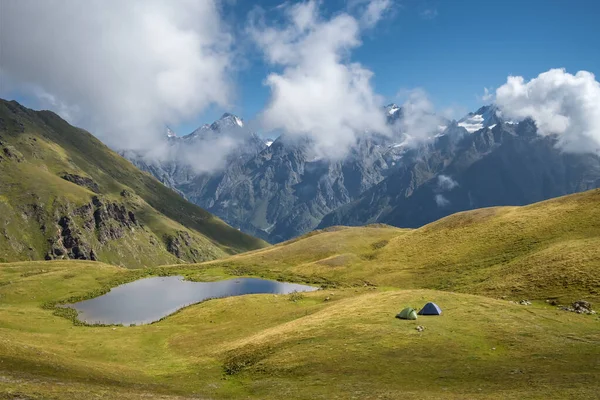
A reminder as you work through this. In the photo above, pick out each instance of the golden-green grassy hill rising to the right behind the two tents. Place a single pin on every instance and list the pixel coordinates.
(546, 250)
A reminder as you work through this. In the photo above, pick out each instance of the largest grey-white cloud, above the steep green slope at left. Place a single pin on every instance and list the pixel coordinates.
(122, 69)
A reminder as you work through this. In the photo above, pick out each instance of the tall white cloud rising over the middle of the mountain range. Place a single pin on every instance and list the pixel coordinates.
(319, 93)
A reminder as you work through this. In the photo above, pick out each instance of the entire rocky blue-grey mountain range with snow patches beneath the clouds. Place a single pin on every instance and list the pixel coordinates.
(277, 190)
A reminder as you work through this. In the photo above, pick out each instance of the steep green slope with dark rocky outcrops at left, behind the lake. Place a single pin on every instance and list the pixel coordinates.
(64, 194)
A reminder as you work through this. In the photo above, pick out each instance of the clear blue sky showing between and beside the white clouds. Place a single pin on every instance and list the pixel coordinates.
(450, 48)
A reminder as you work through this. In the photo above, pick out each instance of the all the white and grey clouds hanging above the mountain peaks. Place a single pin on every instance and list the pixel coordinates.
(124, 70)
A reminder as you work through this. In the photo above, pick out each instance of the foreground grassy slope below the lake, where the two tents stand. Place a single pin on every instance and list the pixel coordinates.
(268, 347)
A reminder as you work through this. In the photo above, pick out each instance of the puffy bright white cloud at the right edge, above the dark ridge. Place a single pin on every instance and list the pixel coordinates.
(560, 103)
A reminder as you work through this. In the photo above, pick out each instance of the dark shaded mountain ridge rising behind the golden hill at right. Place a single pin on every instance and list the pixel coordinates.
(506, 165)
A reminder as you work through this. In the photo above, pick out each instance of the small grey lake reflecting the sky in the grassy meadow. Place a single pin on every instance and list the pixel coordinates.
(150, 299)
